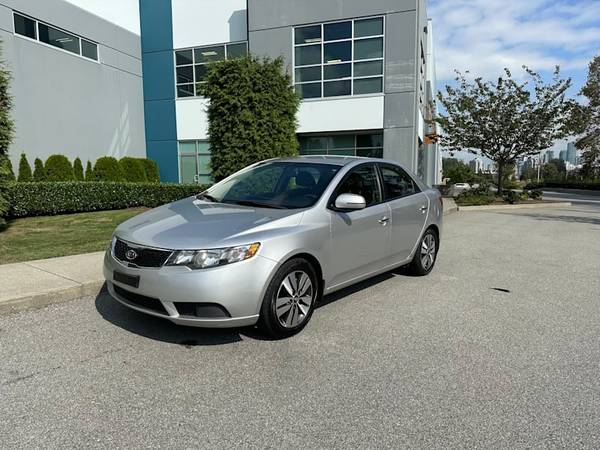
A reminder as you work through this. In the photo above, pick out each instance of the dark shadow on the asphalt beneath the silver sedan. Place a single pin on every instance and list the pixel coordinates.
(163, 330)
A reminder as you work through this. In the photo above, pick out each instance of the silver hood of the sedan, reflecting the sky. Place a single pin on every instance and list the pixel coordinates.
(195, 224)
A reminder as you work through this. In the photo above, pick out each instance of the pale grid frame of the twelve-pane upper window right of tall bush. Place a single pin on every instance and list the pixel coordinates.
(351, 62)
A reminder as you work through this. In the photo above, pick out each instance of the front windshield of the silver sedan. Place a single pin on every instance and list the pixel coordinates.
(286, 185)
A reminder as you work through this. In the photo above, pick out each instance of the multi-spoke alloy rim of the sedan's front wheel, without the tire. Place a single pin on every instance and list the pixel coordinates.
(294, 299)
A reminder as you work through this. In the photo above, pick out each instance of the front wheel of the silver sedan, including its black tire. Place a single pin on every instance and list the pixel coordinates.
(281, 324)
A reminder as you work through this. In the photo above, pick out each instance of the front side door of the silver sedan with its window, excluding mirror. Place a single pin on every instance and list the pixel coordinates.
(360, 239)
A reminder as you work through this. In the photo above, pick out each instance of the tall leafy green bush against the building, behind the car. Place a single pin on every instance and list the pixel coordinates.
(252, 113)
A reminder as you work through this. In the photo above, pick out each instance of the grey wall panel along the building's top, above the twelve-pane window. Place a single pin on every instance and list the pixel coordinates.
(276, 13)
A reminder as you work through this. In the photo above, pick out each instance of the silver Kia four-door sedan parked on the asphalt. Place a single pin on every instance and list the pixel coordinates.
(264, 245)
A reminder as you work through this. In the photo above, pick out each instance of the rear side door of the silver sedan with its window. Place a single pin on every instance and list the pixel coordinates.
(409, 207)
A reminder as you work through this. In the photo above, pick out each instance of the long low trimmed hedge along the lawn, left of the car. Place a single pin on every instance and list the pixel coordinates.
(52, 198)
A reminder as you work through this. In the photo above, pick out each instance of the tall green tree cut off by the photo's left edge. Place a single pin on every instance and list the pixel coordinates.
(6, 136)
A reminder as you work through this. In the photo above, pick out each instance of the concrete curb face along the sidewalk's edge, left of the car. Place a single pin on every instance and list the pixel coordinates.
(55, 296)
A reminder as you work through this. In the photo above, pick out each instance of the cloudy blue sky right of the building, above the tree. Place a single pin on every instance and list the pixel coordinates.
(484, 36)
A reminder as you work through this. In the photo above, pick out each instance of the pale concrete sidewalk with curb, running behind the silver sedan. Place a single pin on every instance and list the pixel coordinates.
(34, 284)
